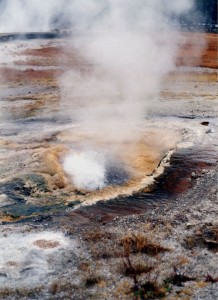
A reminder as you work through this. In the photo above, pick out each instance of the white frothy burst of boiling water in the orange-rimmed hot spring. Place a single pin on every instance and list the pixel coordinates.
(86, 169)
